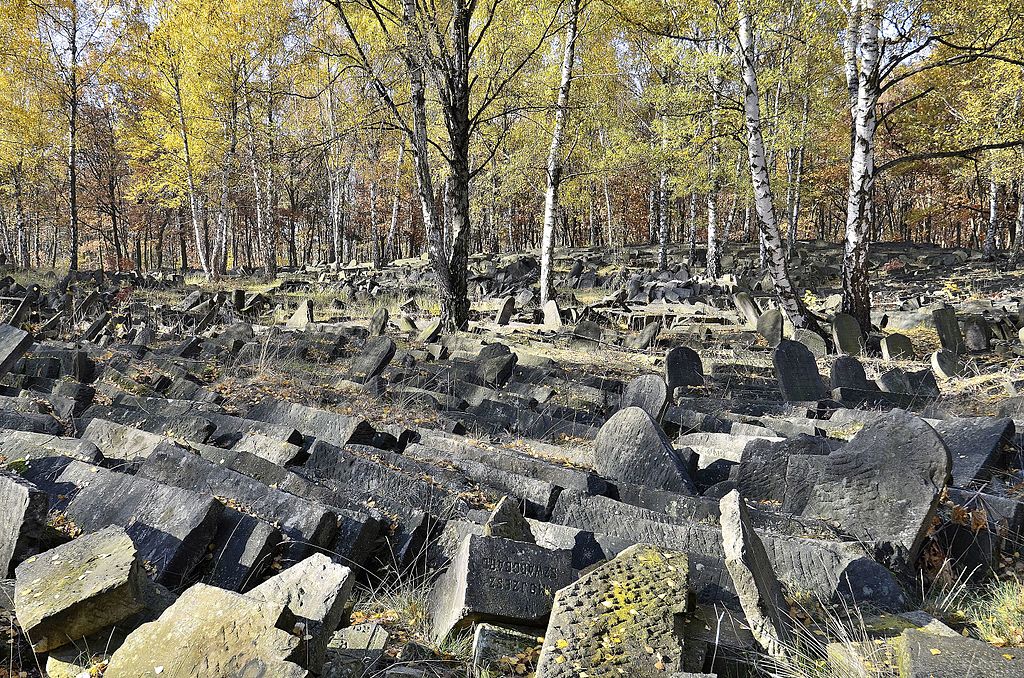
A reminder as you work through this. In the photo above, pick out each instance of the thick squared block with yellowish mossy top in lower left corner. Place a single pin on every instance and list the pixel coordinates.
(78, 588)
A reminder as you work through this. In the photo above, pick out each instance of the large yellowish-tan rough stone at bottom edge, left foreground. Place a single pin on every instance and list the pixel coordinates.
(209, 632)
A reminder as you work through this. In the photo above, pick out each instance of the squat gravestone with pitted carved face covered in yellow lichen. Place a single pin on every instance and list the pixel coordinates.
(622, 618)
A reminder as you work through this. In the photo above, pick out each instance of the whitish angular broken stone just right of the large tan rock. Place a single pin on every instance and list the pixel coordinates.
(316, 592)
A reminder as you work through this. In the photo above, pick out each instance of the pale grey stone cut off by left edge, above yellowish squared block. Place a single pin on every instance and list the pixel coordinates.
(24, 507)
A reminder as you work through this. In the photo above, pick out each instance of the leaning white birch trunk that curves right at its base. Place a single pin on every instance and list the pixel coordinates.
(791, 304)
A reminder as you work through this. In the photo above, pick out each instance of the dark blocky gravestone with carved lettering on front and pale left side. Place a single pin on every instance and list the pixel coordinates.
(498, 580)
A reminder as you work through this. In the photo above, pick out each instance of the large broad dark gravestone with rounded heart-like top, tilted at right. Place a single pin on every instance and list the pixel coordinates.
(881, 489)
